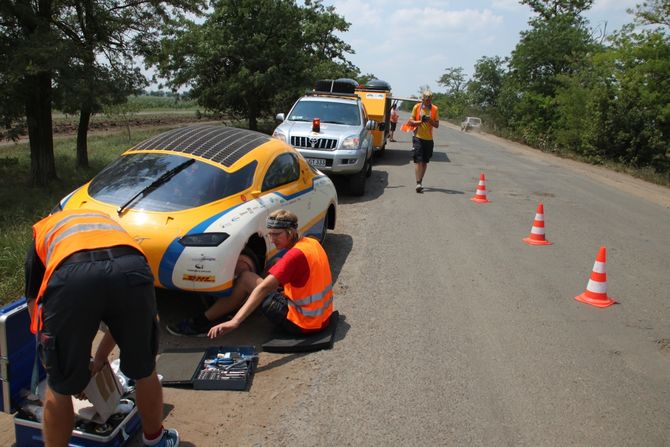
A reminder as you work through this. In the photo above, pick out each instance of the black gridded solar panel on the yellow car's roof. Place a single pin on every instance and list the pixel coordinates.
(221, 144)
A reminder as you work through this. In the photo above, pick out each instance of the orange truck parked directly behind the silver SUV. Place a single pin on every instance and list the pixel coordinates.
(377, 100)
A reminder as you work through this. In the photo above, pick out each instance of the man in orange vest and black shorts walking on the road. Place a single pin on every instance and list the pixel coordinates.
(424, 117)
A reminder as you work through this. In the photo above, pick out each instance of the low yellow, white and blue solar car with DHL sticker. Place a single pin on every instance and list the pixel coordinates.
(197, 198)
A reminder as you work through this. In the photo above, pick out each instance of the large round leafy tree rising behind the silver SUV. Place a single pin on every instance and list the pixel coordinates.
(251, 56)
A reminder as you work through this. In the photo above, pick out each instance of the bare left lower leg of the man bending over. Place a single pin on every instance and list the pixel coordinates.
(58, 419)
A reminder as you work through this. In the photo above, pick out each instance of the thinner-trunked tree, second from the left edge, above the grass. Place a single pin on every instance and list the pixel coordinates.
(105, 37)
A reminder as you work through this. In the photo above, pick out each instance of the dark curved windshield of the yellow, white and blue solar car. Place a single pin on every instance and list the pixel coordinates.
(193, 185)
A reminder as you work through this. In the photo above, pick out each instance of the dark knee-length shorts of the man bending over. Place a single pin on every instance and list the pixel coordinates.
(118, 292)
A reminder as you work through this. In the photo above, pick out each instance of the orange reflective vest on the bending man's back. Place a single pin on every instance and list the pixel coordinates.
(59, 235)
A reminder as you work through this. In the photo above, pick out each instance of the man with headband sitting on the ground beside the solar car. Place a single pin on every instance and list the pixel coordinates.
(306, 302)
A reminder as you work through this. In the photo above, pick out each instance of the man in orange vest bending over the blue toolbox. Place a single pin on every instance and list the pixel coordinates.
(84, 269)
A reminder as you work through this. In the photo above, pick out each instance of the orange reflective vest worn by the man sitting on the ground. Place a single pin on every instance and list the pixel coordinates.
(310, 306)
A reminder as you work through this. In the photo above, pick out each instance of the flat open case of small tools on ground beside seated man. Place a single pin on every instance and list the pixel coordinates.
(216, 368)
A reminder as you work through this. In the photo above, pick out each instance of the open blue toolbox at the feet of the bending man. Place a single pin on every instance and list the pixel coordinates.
(17, 358)
